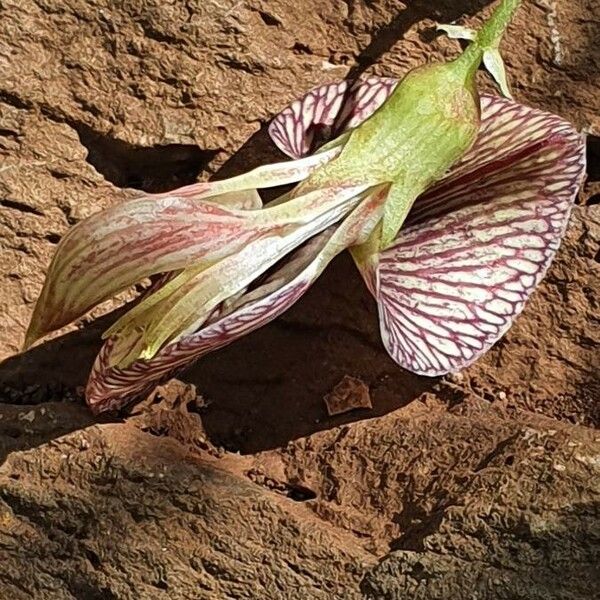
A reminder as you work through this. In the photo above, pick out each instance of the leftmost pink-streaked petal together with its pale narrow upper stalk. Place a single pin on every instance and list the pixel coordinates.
(144, 236)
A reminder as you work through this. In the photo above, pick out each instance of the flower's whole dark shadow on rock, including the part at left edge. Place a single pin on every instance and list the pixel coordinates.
(263, 390)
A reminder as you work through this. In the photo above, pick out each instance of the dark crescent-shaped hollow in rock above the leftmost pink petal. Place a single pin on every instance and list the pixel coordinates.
(154, 169)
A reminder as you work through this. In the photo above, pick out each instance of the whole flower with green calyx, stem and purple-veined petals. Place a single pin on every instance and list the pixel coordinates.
(450, 255)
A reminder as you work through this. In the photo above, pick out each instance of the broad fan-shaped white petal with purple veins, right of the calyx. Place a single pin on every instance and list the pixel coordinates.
(480, 241)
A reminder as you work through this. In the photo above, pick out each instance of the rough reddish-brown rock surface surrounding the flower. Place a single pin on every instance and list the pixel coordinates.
(235, 482)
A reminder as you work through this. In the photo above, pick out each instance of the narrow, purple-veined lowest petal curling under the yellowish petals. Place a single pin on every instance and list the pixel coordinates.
(110, 388)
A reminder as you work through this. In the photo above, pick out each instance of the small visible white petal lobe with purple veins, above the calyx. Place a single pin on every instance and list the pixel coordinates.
(333, 107)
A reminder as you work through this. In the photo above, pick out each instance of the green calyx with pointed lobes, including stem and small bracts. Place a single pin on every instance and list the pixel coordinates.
(427, 124)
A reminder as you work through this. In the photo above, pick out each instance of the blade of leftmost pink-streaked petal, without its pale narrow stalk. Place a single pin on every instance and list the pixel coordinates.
(120, 246)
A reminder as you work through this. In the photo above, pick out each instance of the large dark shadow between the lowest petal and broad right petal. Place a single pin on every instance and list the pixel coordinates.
(269, 387)
